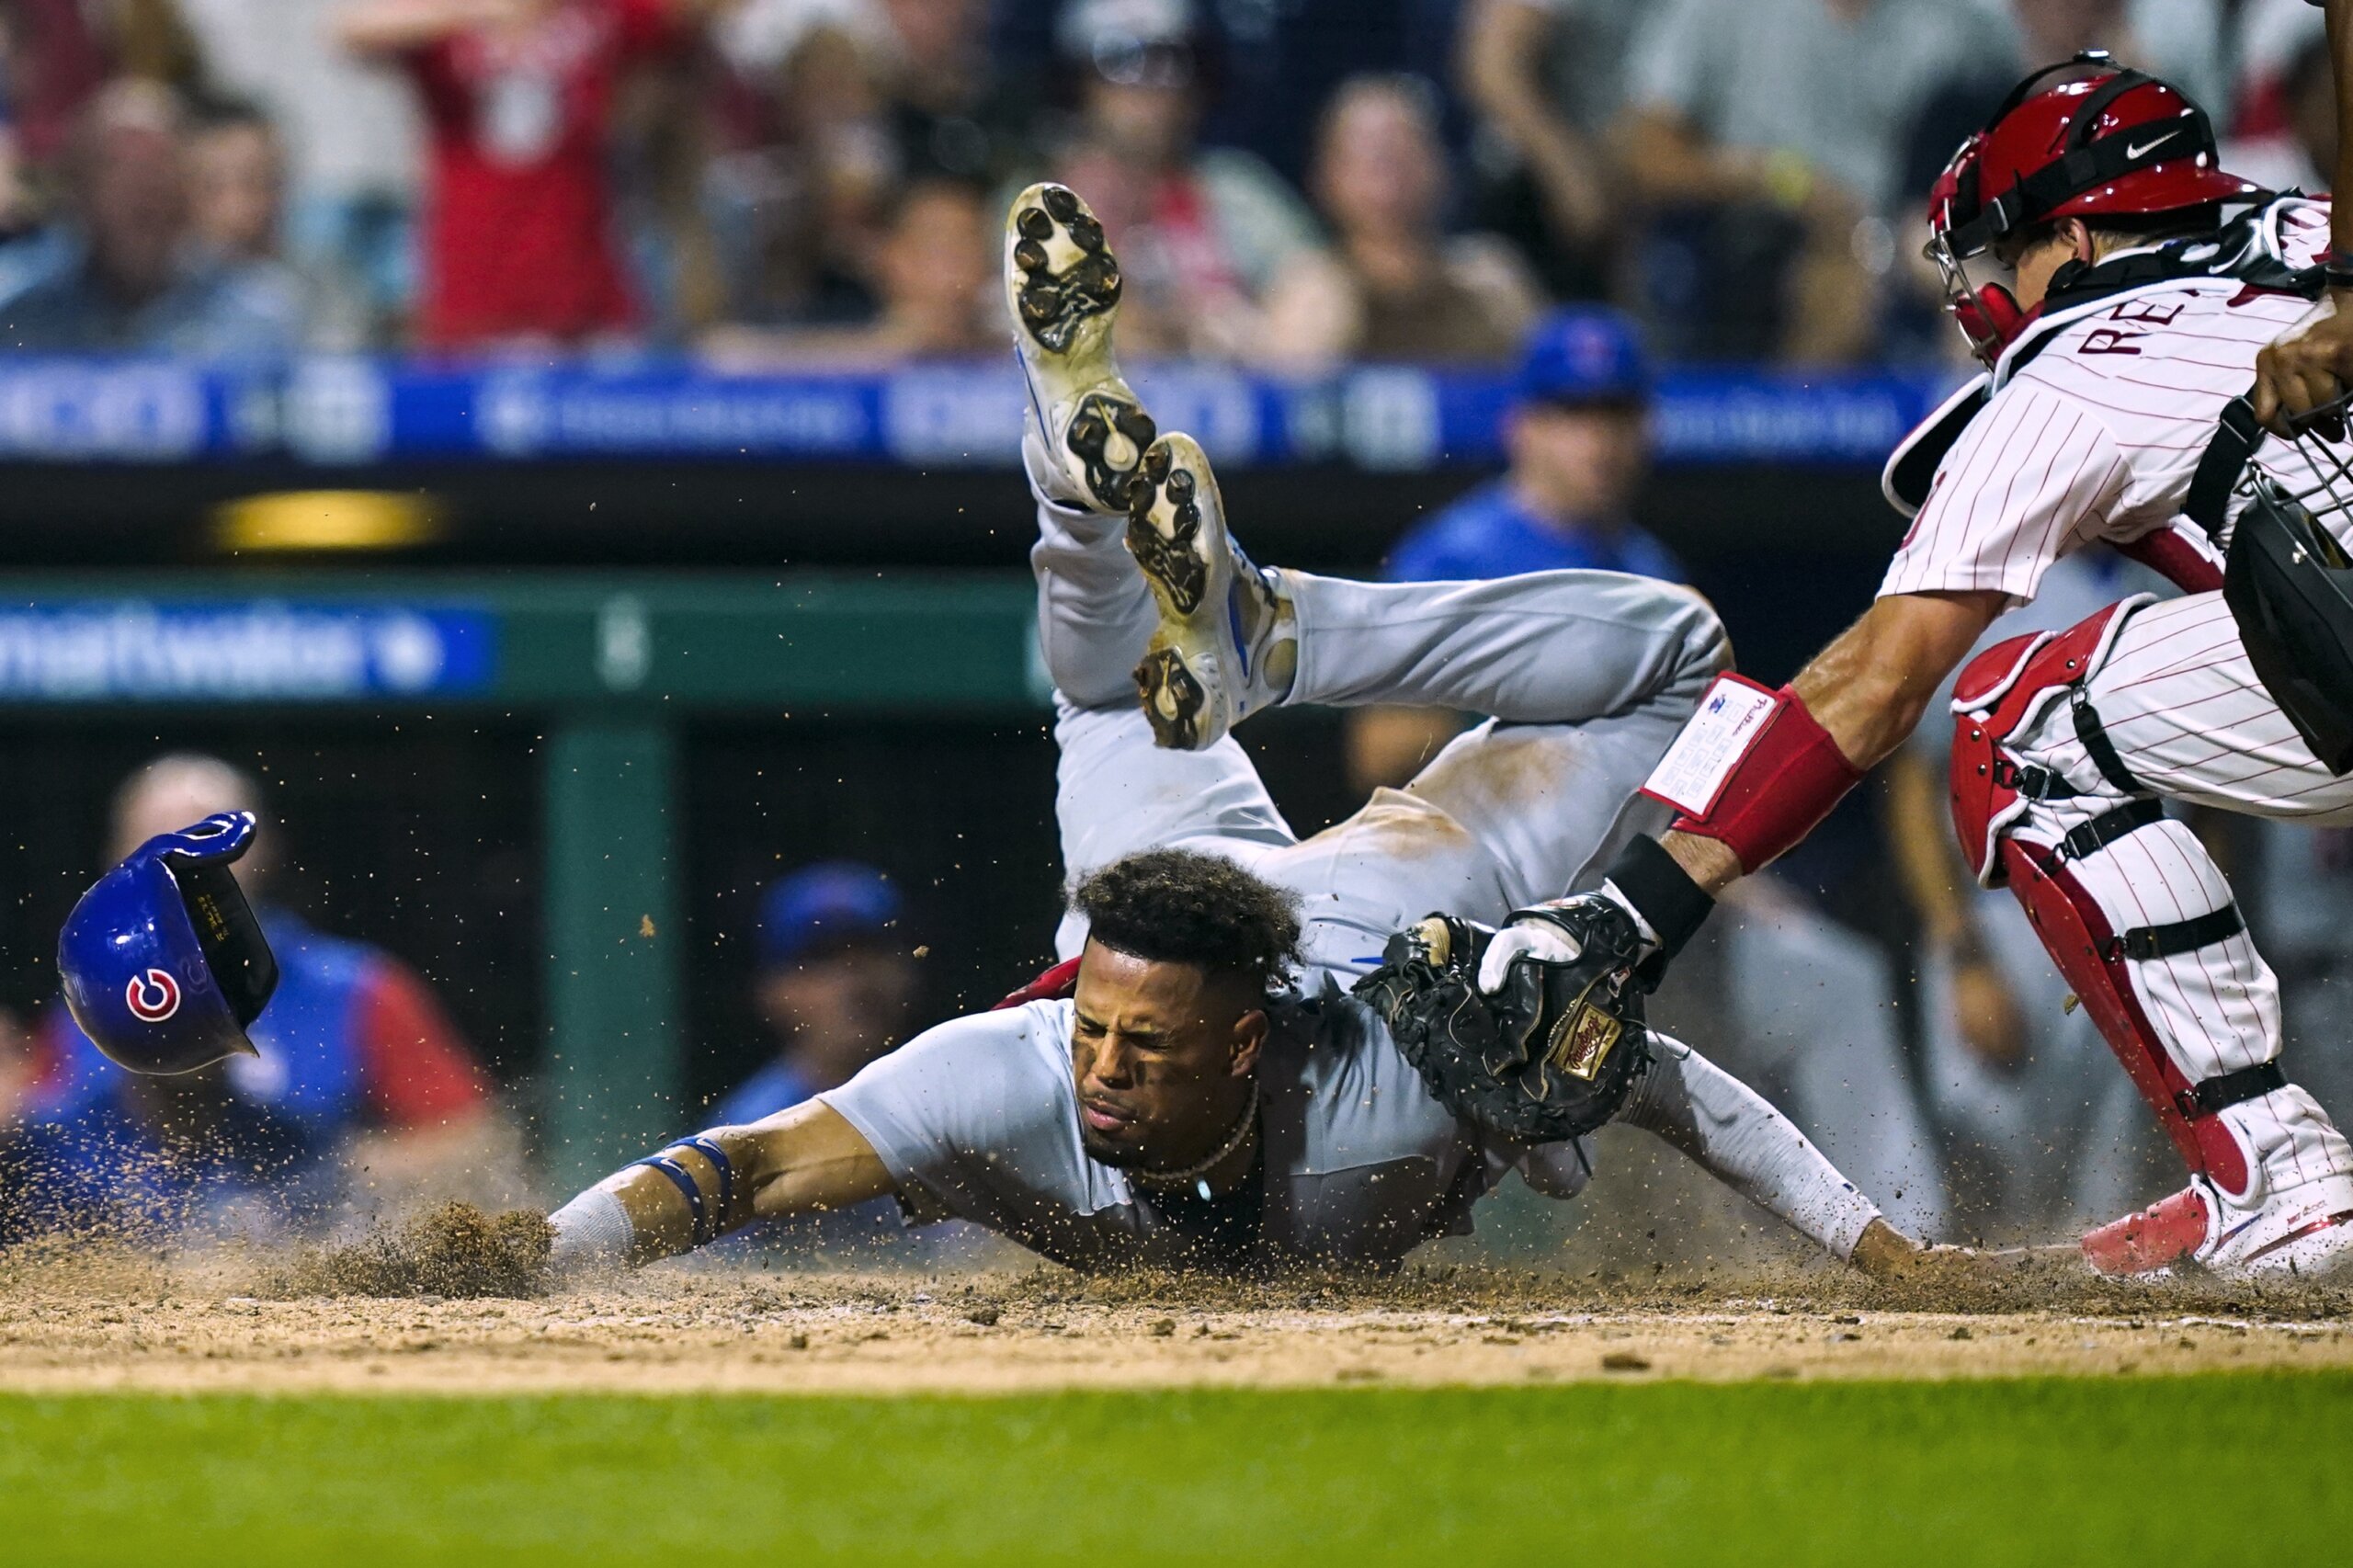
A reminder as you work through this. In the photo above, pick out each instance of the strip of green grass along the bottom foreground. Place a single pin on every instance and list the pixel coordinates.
(1917, 1475)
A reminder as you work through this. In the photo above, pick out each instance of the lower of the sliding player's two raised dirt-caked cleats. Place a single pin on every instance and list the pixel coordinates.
(1227, 642)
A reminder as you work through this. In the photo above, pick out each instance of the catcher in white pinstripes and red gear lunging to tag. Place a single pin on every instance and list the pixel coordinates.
(2133, 321)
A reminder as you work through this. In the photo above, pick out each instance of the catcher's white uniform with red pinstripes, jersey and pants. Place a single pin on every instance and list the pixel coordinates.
(2093, 432)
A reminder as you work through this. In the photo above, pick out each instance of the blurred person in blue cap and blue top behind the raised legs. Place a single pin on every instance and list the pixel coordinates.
(1580, 444)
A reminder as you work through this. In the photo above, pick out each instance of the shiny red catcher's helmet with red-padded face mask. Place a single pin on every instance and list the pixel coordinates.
(2105, 142)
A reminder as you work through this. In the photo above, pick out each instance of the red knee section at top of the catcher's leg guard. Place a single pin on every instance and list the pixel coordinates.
(1999, 693)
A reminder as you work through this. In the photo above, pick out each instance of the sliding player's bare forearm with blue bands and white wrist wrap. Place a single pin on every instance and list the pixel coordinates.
(698, 1190)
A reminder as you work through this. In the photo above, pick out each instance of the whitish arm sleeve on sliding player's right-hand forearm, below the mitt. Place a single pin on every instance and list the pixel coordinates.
(1747, 1145)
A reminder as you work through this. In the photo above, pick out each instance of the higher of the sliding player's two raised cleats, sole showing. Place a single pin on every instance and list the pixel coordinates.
(1062, 286)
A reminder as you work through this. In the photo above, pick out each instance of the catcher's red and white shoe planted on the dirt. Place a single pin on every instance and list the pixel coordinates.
(2305, 1230)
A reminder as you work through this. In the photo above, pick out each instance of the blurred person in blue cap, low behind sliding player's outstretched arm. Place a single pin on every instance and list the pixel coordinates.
(836, 988)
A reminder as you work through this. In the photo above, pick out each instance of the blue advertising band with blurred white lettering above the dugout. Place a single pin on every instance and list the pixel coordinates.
(966, 413)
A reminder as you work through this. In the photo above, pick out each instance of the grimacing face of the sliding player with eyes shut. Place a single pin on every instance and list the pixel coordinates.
(1161, 1056)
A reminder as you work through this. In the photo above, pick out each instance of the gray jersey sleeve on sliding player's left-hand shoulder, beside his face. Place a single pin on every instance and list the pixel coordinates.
(973, 1117)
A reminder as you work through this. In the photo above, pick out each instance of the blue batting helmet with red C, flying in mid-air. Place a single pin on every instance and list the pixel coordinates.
(164, 962)
